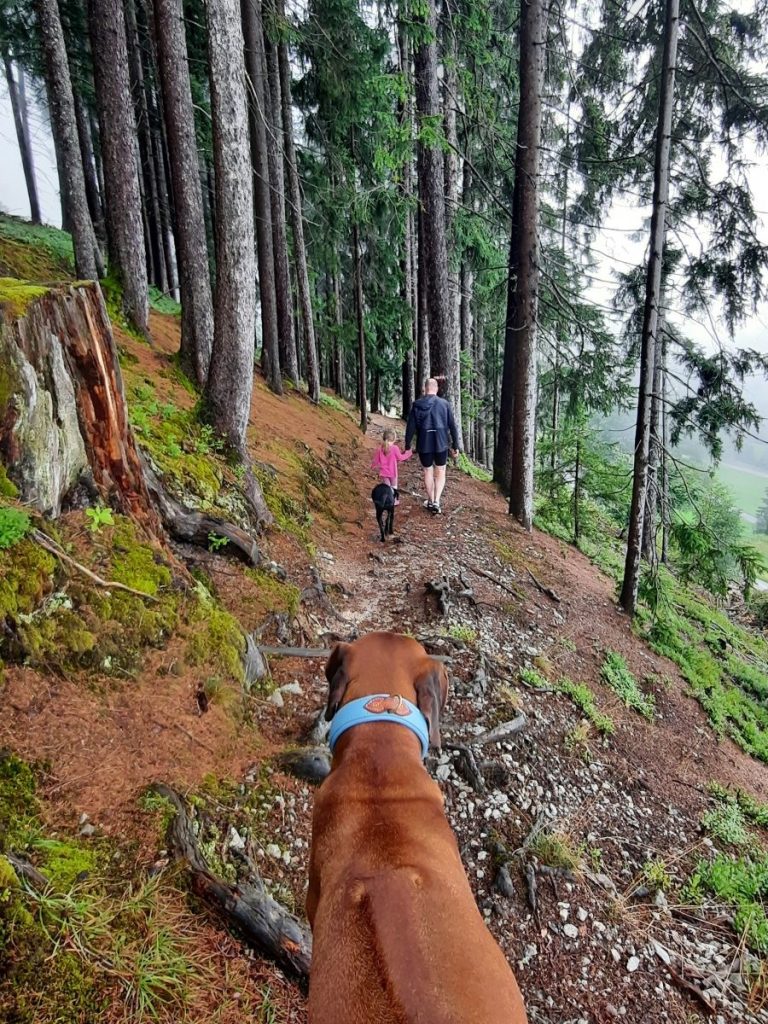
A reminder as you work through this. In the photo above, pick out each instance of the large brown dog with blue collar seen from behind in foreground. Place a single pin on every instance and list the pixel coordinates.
(398, 937)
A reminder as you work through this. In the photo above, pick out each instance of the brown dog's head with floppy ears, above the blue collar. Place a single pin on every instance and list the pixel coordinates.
(389, 663)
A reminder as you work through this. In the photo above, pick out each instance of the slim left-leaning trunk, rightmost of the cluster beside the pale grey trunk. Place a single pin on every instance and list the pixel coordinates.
(297, 222)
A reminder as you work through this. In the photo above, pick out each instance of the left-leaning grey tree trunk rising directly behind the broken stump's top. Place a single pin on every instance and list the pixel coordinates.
(64, 122)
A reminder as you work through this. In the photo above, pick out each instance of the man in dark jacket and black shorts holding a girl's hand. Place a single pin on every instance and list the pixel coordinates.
(432, 421)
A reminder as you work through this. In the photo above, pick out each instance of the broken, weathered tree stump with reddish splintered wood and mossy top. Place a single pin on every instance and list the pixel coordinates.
(63, 412)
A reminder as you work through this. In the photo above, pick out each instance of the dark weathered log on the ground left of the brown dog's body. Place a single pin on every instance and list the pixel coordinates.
(245, 908)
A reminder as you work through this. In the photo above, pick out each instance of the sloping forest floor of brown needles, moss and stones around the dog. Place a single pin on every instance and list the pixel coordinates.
(596, 805)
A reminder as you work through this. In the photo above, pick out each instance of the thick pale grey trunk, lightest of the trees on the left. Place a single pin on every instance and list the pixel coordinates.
(231, 378)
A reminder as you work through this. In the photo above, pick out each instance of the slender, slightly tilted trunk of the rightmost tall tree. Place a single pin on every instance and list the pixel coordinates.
(651, 315)
